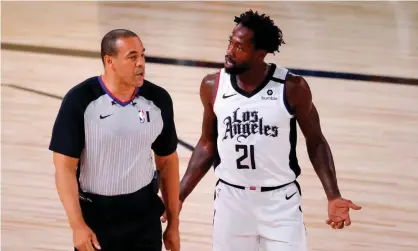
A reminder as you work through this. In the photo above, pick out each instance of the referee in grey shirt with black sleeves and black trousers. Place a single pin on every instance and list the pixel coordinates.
(108, 130)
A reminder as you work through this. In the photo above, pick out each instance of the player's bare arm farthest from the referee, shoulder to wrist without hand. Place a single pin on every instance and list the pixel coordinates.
(300, 98)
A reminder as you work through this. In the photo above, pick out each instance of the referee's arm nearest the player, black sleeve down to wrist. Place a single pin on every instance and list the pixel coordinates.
(167, 162)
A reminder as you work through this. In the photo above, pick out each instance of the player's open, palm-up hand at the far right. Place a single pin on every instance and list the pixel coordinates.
(338, 212)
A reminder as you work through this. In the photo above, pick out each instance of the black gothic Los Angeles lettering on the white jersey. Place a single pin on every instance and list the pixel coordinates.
(246, 123)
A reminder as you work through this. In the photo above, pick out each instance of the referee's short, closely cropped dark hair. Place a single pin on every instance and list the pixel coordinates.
(108, 45)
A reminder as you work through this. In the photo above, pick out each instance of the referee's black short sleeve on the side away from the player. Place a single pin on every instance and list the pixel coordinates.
(68, 130)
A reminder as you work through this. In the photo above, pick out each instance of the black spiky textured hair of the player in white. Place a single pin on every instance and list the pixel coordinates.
(267, 36)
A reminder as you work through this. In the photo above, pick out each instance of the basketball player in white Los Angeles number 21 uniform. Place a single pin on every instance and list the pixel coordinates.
(249, 132)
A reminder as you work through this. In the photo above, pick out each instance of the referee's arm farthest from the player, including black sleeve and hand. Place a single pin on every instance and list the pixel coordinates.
(67, 143)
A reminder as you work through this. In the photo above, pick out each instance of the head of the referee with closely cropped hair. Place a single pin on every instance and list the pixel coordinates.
(122, 54)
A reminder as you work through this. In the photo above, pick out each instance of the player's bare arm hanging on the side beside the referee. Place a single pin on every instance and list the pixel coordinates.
(203, 155)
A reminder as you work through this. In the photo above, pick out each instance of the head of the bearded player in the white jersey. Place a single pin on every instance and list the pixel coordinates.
(254, 36)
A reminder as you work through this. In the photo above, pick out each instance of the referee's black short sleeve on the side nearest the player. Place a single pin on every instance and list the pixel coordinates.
(166, 142)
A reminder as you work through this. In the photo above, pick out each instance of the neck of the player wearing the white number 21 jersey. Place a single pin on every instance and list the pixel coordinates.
(252, 78)
